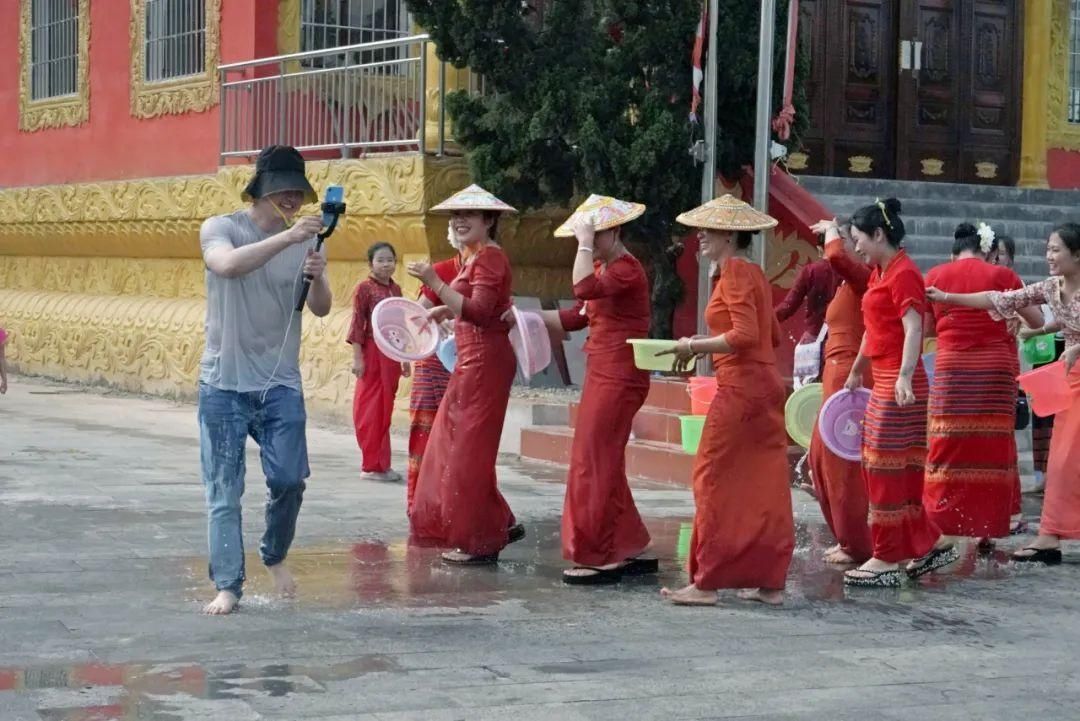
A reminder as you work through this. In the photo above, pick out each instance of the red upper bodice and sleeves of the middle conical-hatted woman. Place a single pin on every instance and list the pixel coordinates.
(616, 303)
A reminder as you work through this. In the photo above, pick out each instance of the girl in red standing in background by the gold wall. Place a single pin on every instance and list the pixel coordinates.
(377, 376)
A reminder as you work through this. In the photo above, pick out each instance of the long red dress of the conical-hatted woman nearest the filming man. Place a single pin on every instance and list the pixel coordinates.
(457, 502)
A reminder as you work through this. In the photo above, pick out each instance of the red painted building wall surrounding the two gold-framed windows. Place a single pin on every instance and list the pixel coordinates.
(113, 145)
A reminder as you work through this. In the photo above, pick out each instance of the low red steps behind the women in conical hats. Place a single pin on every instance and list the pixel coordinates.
(655, 453)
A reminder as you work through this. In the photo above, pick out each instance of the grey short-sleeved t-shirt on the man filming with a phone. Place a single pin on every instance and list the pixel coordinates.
(248, 317)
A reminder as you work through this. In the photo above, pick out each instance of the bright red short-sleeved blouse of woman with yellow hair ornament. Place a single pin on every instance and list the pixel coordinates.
(889, 295)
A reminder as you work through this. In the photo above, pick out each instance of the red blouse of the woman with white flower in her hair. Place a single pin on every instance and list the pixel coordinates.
(962, 329)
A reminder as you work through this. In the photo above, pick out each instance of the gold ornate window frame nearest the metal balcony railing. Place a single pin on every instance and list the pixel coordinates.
(193, 94)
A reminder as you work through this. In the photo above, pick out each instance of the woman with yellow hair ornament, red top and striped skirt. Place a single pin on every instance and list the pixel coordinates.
(895, 429)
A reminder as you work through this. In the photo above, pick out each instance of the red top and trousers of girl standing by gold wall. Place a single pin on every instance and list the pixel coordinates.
(373, 402)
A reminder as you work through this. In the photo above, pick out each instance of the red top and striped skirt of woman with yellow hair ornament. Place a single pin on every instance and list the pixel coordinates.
(895, 439)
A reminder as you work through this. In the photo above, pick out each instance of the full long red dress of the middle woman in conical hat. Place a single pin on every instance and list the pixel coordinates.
(601, 524)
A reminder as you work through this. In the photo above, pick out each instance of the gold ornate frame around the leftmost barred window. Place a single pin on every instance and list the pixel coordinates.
(65, 112)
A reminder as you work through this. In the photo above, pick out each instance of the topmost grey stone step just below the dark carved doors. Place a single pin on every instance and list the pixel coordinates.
(869, 188)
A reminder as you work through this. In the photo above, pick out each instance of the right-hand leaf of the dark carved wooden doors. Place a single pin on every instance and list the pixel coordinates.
(958, 106)
